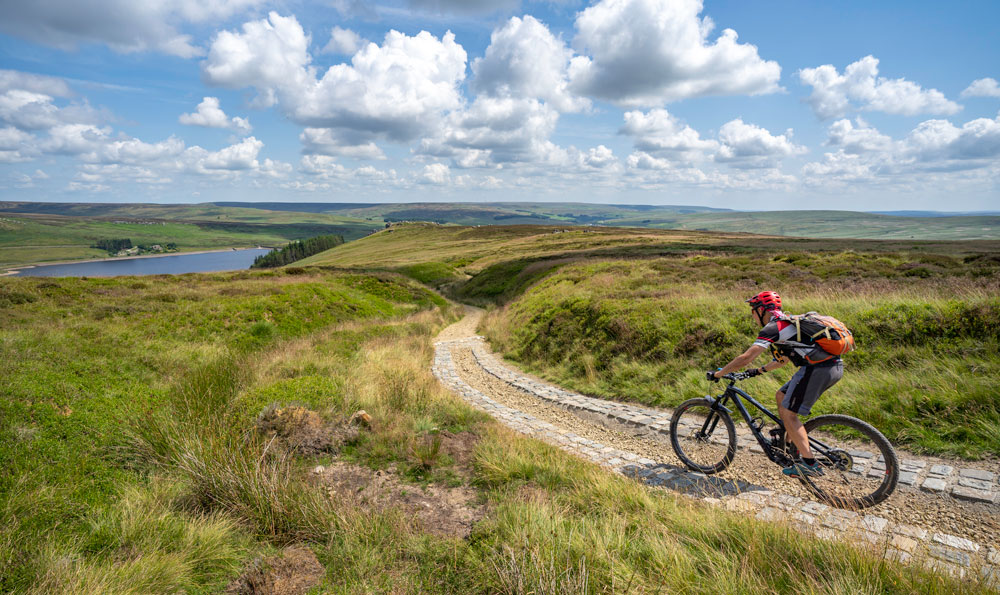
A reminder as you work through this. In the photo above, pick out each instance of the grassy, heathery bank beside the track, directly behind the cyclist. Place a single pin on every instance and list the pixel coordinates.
(927, 331)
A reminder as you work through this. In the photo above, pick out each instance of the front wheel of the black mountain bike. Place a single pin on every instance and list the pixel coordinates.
(703, 438)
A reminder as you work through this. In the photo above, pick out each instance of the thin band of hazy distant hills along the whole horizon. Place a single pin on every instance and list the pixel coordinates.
(354, 220)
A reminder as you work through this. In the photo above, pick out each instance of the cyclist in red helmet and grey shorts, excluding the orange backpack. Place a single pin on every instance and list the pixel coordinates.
(798, 395)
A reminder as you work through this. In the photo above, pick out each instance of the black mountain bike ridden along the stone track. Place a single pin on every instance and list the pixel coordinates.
(859, 467)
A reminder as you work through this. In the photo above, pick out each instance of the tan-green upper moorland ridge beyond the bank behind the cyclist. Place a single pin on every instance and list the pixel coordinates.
(471, 250)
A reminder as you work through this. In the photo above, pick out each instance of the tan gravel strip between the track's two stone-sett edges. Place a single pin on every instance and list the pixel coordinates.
(931, 512)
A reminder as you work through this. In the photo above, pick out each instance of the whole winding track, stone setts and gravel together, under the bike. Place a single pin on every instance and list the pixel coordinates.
(920, 522)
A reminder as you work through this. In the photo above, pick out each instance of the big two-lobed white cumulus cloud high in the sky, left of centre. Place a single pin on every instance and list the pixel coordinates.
(397, 90)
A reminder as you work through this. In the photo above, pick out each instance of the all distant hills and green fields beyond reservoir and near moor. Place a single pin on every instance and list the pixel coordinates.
(46, 232)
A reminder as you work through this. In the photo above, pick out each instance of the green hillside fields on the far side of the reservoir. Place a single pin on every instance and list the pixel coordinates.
(49, 232)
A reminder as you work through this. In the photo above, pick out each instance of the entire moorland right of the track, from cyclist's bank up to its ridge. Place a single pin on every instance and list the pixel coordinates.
(638, 315)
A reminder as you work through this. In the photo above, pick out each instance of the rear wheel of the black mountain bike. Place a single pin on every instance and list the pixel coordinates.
(860, 467)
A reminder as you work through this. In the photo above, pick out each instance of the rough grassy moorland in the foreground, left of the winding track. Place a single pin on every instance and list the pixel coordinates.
(161, 434)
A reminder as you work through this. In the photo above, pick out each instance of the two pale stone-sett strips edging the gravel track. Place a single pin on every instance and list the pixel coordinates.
(908, 543)
